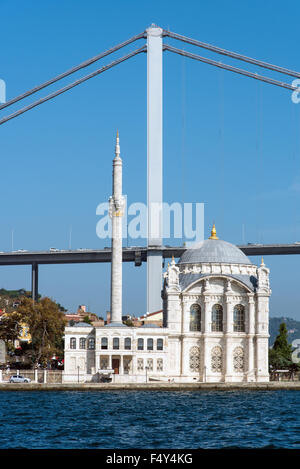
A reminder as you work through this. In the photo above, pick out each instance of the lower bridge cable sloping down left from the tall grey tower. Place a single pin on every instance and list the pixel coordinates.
(72, 85)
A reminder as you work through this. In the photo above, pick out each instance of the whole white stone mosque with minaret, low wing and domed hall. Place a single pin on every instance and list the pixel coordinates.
(215, 318)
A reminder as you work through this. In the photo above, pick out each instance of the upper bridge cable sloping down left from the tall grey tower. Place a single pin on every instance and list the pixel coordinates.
(72, 70)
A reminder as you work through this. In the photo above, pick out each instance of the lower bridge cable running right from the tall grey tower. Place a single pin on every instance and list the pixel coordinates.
(230, 68)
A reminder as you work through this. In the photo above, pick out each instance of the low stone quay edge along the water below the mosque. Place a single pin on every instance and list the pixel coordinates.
(270, 386)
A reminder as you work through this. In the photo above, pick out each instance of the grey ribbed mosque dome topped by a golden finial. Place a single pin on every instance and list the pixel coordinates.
(214, 250)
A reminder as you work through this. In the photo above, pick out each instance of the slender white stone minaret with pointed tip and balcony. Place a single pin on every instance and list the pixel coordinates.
(116, 207)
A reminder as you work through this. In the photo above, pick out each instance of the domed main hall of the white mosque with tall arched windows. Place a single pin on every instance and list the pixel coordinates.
(221, 309)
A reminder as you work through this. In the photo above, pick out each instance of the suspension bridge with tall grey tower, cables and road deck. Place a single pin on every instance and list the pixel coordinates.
(155, 252)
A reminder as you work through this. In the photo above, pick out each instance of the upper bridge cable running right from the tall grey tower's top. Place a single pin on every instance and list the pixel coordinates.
(234, 55)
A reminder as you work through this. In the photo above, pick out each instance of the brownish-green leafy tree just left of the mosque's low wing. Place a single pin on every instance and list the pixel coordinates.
(46, 326)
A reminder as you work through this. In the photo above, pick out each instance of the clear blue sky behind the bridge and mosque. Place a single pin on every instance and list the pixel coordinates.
(229, 141)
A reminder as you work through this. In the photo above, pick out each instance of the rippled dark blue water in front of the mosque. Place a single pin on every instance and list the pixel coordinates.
(149, 419)
